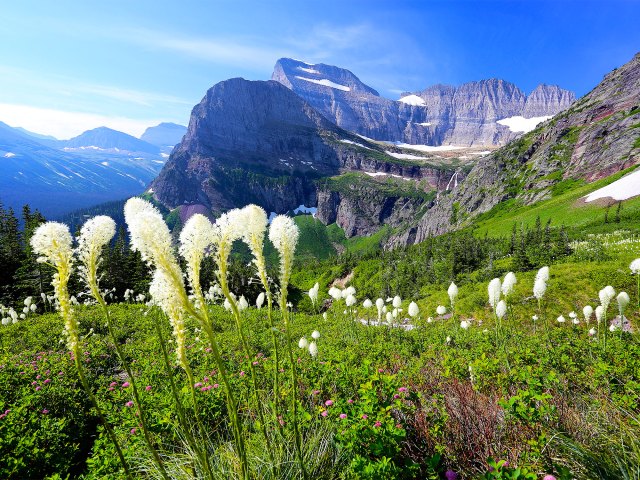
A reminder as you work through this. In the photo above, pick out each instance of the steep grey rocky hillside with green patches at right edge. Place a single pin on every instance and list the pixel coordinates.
(596, 137)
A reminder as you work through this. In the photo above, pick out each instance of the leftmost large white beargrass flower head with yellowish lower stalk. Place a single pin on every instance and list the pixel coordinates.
(52, 242)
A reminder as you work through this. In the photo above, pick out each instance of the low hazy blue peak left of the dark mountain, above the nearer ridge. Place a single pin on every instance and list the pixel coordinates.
(103, 138)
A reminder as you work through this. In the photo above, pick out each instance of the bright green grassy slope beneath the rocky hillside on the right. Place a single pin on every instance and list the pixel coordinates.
(563, 209)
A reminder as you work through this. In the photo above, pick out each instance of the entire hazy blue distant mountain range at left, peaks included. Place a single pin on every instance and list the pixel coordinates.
(58, 176)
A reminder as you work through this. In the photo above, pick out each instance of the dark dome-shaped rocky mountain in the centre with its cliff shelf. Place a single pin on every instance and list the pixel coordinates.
(259, 142)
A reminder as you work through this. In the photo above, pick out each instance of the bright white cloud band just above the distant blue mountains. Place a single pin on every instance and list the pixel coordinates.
(63, 124)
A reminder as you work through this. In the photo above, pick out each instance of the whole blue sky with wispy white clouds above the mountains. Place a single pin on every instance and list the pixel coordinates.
(69, 66)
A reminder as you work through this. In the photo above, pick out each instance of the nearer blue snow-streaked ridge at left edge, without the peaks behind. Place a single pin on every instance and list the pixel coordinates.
(57, 181)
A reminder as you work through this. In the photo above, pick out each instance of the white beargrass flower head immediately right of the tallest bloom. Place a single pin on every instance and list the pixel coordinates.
(195, 240)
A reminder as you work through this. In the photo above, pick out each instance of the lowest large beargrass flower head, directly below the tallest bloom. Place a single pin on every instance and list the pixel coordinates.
(163, 293)
